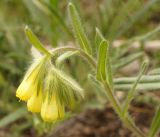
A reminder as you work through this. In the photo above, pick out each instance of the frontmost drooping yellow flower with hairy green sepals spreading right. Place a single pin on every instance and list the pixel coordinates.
(60, 91)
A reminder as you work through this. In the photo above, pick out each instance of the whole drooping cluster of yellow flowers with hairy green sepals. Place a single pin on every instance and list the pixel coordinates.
(48, 90)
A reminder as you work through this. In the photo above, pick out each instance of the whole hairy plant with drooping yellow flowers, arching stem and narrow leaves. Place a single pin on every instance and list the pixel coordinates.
(48, 90)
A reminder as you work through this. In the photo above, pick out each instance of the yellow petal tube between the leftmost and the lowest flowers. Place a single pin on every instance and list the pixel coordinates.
(35, 102)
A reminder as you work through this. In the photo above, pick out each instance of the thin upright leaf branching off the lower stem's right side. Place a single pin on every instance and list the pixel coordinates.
(133, 89)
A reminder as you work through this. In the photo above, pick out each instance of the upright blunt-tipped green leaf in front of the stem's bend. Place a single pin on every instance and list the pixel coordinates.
(102, 60)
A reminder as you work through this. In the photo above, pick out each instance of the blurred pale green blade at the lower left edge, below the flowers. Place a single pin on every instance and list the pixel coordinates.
(13, 117)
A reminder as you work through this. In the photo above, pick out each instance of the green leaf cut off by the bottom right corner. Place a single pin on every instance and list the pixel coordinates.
(155, 126)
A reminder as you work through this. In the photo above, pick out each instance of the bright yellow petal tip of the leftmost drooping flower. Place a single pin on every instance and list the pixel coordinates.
(25, 90)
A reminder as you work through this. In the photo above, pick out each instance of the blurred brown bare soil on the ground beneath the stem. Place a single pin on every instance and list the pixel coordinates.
(105, 123)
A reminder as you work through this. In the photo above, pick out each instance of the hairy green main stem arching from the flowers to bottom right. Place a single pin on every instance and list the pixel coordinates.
(127, 119)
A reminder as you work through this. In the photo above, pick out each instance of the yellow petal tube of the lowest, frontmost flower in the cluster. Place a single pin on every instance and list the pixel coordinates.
(50, 110)
